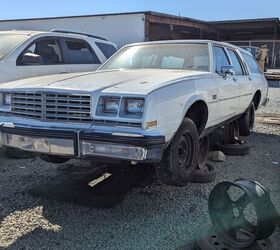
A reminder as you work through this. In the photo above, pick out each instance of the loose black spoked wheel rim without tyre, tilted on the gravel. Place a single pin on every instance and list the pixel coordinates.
(242, 212)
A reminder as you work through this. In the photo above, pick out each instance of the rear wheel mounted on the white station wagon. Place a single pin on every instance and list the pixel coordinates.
(246, 122)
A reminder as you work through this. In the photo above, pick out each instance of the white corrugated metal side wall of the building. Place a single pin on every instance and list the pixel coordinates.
(120, 29)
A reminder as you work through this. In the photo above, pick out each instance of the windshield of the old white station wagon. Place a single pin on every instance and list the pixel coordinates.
(161, 56)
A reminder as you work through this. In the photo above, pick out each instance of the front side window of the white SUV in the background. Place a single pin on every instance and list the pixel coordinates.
(41, 52)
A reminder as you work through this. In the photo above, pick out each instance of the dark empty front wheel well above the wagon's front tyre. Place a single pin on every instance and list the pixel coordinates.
(198, 112)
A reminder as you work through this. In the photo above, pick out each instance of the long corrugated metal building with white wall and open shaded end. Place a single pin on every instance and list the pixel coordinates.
(120, 28)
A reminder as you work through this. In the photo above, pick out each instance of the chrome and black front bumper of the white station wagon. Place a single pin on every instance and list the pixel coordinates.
(84, 144)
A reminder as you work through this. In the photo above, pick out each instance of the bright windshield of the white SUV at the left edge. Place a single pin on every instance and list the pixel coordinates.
(9, 42)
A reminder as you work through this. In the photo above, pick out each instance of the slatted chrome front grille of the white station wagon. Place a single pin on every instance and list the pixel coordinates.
(52, 106)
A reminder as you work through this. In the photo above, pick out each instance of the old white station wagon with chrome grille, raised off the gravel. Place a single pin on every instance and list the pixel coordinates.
(149, 103)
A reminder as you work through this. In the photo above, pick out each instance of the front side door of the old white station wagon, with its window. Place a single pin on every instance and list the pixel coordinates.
(228, 95)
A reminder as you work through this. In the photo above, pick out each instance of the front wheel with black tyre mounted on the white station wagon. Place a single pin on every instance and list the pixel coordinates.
(180, 158)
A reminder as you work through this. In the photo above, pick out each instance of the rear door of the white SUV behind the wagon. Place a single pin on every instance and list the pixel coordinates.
(79, 55)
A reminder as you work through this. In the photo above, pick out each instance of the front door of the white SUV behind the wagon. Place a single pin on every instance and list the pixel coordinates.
(48, 49)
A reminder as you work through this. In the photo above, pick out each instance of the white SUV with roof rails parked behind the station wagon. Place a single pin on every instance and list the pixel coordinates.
(25, 54)
